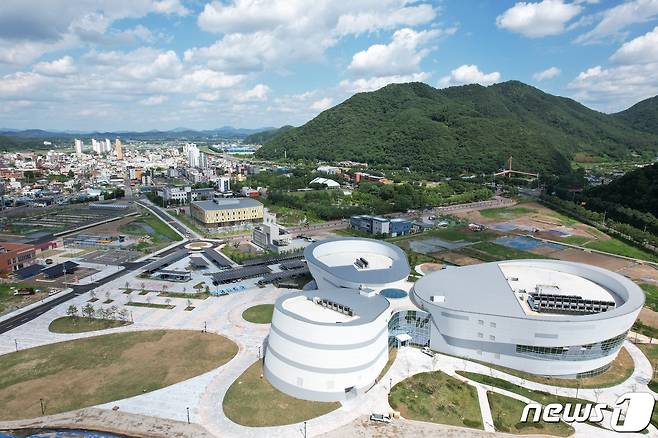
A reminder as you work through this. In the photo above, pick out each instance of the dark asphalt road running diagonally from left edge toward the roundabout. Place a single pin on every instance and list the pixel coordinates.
(34, 312)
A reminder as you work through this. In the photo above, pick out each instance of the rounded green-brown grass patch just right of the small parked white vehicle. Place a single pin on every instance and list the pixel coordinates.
(437, 398)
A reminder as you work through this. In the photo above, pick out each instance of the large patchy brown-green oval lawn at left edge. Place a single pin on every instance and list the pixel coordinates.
(86, 372)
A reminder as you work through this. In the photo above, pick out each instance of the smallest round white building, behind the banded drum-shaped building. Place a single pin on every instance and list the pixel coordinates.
(357, 264)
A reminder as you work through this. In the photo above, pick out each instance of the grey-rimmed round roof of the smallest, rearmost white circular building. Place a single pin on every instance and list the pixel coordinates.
(387, 263)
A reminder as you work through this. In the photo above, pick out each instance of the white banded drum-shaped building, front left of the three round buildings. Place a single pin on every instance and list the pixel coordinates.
(328, 344)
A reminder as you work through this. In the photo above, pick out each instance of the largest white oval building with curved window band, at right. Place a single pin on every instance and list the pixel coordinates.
(544, 317)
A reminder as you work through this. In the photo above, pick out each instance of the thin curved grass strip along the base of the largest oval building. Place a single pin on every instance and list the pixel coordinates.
(620, 370)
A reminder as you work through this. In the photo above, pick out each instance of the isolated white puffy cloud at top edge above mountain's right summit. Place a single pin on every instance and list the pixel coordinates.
(533, 20)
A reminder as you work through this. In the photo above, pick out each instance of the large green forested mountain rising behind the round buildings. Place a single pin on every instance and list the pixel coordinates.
(460, 129)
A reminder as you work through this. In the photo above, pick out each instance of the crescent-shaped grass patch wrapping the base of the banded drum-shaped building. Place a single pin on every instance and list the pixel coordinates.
(252, 401)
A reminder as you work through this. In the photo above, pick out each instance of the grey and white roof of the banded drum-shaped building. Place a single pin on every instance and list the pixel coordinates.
(366, 309)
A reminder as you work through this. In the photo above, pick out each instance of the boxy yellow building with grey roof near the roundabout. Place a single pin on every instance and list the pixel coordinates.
(226, 212)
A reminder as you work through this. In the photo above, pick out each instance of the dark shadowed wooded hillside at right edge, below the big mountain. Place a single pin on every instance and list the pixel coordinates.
(637, 189)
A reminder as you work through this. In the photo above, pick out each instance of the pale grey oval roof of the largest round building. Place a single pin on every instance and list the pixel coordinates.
(484, 288)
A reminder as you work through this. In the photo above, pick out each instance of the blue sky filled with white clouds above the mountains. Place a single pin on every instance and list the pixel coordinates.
(161, 64)
